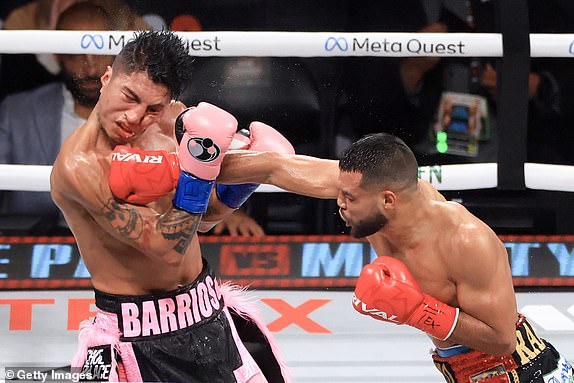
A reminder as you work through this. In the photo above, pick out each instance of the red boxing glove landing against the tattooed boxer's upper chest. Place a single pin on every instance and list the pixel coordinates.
(142, 176)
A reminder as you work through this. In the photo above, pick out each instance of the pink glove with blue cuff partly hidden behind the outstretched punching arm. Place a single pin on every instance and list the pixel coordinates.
(259, 137)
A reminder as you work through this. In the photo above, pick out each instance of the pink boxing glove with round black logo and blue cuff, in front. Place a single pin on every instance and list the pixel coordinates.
(203, 134)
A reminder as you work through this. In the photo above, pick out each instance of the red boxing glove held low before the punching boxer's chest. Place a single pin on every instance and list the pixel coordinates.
(387, 291)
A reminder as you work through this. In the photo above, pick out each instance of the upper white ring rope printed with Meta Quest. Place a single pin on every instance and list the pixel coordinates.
(296, 44)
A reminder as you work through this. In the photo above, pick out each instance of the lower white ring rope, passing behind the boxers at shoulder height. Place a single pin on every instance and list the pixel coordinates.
(443, 177)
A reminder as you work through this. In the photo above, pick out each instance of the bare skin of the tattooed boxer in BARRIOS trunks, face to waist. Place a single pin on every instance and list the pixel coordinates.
(127, 249)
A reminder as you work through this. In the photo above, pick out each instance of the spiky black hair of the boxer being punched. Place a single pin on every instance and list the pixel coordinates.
(162, 55)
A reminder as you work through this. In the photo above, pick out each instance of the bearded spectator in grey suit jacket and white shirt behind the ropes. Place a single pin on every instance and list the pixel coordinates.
(33, 124)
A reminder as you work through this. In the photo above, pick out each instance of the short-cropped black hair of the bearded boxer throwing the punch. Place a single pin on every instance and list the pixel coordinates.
(383, 160)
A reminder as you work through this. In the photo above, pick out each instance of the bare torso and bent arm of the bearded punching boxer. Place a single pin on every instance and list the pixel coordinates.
(457, 259)
